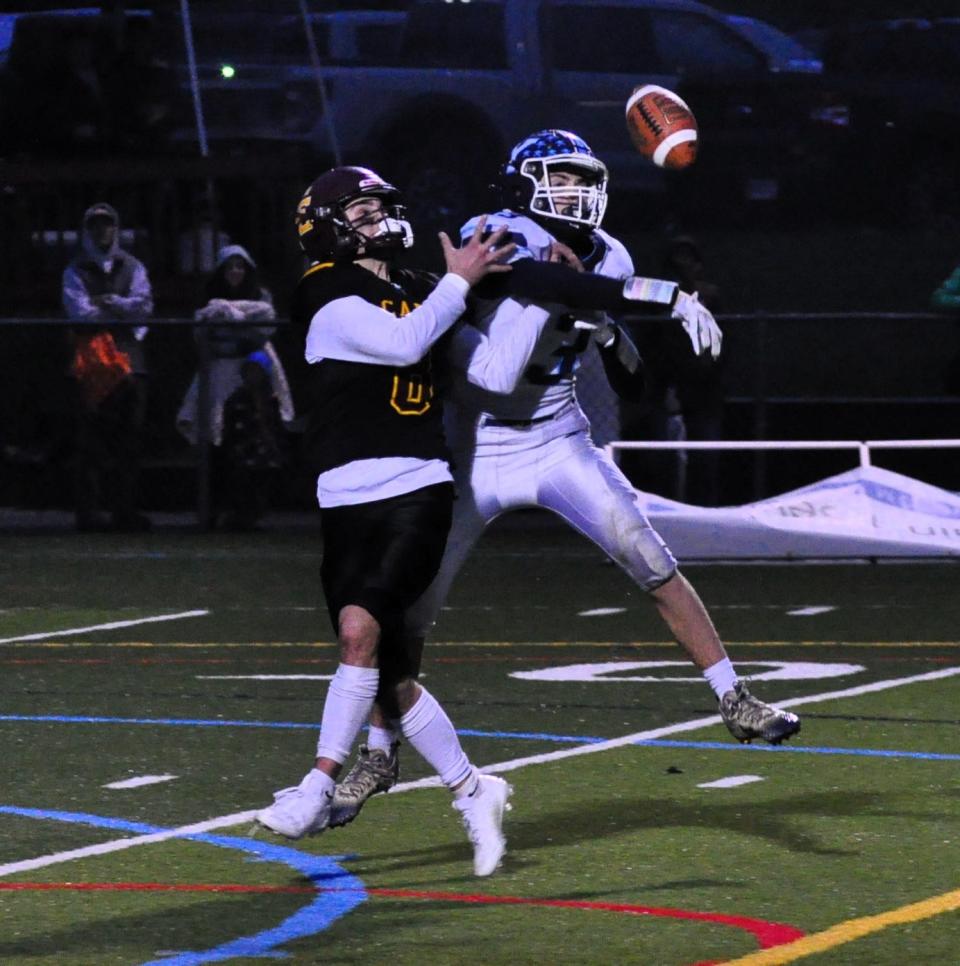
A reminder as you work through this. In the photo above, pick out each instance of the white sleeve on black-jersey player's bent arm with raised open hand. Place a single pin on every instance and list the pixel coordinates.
(354, 330)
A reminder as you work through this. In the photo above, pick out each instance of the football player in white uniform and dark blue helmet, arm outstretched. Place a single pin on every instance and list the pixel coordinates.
(531, 447)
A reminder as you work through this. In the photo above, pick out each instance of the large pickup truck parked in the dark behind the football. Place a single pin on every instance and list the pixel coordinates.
(437, 97)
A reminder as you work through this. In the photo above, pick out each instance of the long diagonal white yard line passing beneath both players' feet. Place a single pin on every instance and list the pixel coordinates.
(238, 818)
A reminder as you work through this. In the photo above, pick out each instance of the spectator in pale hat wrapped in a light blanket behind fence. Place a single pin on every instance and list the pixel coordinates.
(240, 306)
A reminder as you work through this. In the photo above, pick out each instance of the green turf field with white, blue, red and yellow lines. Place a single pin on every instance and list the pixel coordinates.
(640, 832)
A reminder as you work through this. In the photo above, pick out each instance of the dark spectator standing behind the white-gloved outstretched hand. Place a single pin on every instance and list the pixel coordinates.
(684, 399)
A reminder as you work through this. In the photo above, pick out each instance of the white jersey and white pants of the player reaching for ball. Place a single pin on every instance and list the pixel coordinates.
(530, 446)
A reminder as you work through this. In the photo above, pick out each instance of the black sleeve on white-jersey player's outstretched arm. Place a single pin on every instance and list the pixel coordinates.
(563, 285)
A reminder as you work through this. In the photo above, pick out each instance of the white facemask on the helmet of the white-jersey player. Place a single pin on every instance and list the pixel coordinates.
(581, 205)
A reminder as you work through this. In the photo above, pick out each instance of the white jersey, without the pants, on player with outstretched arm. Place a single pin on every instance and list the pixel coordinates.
(546, 387)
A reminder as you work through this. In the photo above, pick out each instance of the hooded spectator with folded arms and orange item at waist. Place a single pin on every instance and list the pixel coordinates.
(103, 286)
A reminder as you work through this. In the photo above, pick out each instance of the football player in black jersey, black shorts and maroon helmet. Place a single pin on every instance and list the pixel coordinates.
(384, 485)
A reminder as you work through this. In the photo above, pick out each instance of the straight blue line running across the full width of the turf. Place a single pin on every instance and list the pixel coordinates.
(500, 735)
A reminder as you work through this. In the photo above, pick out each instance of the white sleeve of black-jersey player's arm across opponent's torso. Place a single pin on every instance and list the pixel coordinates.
(497, 360)
